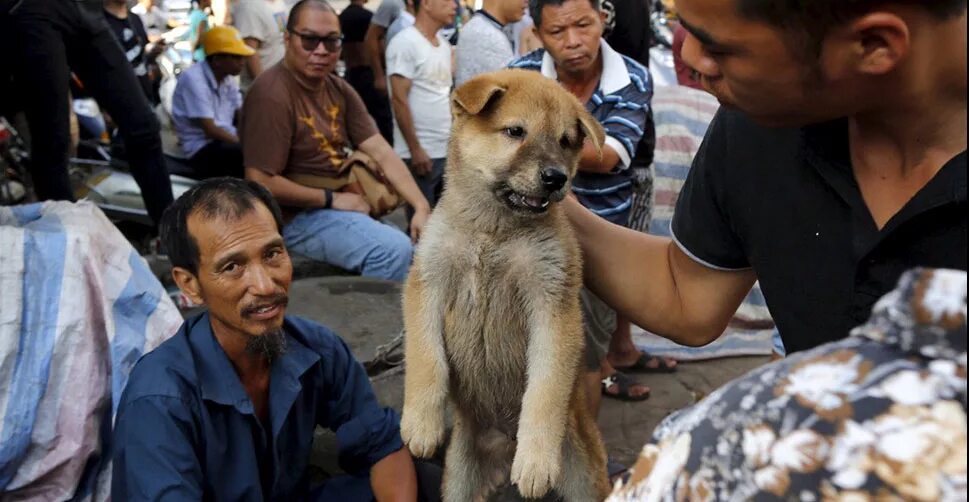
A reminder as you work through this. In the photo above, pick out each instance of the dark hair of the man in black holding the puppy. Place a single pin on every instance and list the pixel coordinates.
(810, 20)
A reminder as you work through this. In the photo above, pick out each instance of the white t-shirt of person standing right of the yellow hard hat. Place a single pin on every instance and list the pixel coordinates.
(256, 19)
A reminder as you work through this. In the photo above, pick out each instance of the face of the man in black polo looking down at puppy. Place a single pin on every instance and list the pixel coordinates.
(750, 64)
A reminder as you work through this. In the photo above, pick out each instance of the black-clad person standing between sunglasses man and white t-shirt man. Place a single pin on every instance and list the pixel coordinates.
(354, 21)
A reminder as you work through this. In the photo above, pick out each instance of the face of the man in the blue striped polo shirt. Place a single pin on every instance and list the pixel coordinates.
(571, 33)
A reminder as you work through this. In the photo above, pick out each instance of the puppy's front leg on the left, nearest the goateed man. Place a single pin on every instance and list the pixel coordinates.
(426, 374)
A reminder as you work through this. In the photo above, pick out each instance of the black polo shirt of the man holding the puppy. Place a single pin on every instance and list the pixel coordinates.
(785, 202)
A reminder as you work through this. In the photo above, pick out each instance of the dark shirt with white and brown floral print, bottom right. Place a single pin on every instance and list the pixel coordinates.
(880, 415)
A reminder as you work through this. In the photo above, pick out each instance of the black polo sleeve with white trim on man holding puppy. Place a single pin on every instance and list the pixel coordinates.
(701, 224)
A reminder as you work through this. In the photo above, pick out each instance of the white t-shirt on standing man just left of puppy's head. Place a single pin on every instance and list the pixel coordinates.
(413, 57)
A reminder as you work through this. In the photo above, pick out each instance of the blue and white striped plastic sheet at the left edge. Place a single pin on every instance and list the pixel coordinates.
(78, 307)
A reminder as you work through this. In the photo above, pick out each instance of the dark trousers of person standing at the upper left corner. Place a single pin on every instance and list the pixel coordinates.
(49, 39)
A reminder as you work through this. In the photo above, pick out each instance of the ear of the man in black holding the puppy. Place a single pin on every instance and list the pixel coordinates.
(880, 42)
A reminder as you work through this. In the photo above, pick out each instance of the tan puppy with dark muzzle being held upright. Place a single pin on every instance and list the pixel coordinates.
(491, 305)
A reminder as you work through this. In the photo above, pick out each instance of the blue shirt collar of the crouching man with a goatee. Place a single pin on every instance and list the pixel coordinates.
(219, 382)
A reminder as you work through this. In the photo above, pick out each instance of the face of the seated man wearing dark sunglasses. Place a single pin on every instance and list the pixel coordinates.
(319, 62)
